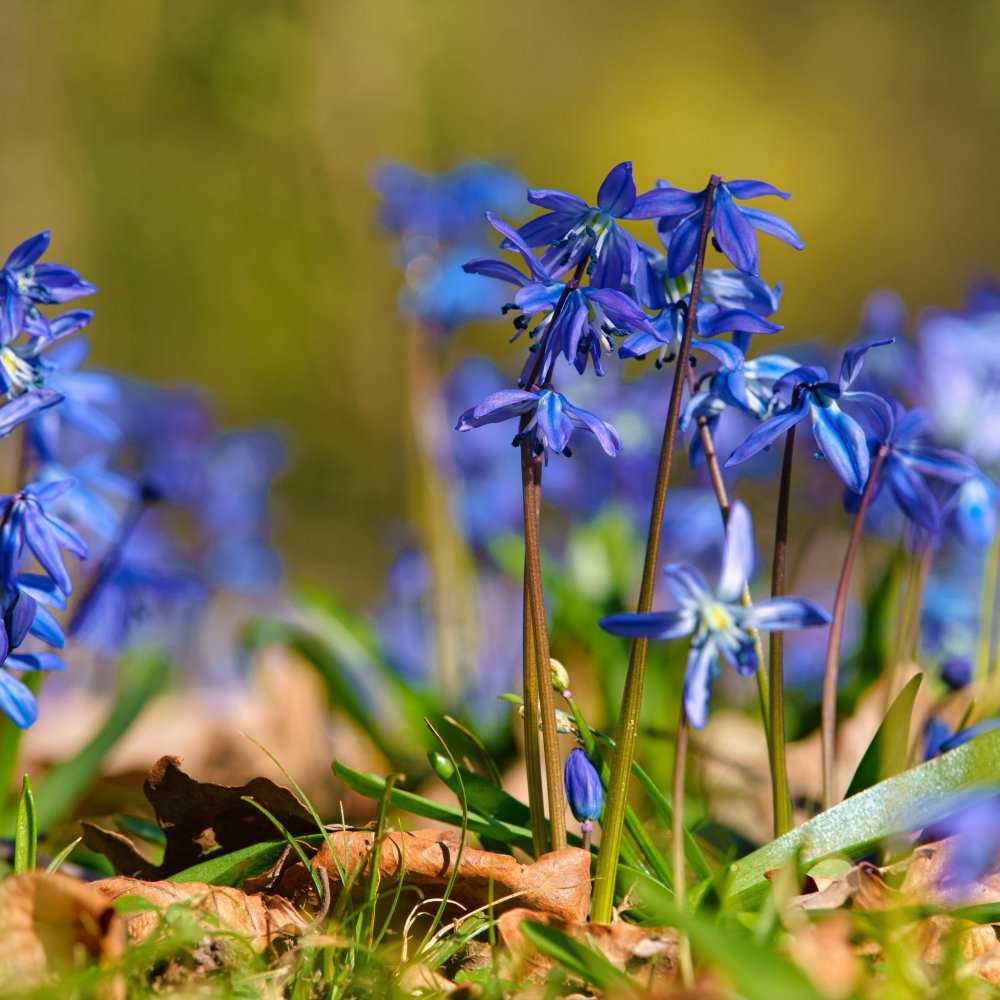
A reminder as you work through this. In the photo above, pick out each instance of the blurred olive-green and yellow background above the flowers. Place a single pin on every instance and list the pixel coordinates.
(208, 165)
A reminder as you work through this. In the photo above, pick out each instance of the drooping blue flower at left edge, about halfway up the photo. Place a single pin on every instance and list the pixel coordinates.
(26, 522)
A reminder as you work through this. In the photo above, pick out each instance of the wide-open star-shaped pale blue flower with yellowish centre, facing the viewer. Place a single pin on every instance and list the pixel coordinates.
(719, 624)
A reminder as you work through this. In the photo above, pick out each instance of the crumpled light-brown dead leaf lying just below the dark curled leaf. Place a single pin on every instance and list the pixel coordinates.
(262, 920)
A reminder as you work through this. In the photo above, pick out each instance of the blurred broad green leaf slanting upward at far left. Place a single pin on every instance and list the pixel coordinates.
(144, 675)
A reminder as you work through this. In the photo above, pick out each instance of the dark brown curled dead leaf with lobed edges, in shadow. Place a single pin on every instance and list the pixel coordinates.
(198, 817)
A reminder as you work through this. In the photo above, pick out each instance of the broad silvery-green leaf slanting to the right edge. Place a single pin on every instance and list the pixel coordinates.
(906, 802)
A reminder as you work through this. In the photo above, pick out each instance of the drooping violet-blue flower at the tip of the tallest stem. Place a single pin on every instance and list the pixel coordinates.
(679, 213)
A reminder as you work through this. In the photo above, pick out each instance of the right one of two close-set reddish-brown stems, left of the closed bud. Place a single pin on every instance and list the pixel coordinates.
(531, 466)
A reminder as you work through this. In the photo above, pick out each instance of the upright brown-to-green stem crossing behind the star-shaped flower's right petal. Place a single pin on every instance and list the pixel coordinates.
(782, 807)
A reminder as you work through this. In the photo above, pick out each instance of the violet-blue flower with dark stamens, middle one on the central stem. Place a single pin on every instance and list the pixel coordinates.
(587, 321)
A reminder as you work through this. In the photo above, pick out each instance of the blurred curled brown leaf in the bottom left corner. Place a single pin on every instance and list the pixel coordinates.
(45, 923)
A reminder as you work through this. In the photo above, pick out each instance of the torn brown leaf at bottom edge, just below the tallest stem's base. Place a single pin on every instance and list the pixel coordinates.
(649, 955)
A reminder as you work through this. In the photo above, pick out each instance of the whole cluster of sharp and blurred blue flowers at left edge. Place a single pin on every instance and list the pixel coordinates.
(110, 463)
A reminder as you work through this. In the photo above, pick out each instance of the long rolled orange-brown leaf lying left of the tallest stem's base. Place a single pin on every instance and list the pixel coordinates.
(557, 883)
